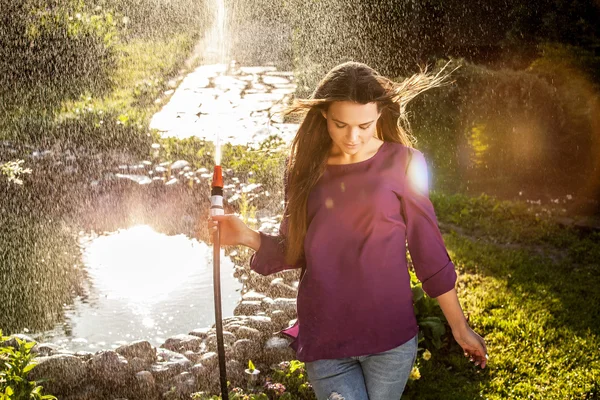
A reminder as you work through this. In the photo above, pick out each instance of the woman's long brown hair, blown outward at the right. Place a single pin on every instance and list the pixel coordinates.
(350, 81)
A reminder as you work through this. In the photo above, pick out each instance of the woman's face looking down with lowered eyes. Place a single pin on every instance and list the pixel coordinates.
(351, 126)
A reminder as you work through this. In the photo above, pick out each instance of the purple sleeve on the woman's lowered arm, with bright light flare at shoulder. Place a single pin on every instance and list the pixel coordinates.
(431, 261)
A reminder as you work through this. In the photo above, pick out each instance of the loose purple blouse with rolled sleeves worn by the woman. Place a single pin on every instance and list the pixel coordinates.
(355, 297)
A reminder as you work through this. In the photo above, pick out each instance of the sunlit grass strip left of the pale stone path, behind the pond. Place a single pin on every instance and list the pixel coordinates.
(119, 118)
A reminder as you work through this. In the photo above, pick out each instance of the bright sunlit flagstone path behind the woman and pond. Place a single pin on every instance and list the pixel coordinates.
(241, 104)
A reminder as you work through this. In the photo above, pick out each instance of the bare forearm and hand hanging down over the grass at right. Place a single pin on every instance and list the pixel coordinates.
(472, 344)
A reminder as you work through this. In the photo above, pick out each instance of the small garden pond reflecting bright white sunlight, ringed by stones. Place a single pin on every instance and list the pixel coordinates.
(142, 285)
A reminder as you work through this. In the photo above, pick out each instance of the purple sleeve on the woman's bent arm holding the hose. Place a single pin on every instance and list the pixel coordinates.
(270, 256)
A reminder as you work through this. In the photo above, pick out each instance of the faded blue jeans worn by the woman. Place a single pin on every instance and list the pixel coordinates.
(380, 376)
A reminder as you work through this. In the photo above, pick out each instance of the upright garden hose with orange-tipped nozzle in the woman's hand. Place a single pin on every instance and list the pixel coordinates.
(216, 208)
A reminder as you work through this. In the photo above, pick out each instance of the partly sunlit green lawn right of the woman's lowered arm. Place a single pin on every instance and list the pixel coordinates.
(539, 313)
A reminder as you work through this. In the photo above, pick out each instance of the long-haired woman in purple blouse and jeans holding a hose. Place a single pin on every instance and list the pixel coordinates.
(356, 193)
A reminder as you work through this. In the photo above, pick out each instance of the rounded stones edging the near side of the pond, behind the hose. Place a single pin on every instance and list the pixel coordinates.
(185, 363)
